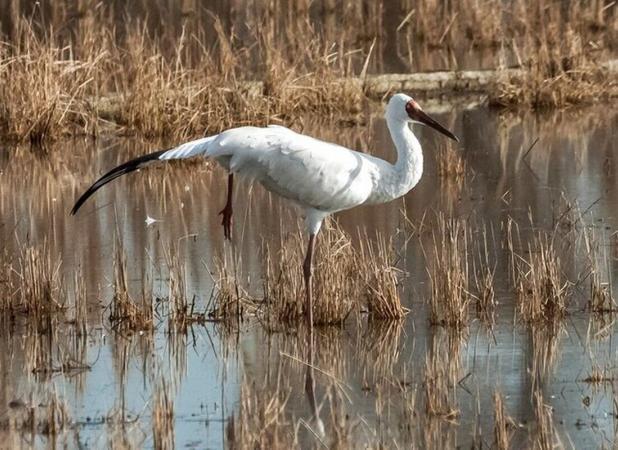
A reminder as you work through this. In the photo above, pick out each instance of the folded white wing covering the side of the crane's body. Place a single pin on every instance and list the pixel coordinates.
(308, 171)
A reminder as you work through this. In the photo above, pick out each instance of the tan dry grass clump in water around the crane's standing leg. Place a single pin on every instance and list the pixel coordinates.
(342, 275)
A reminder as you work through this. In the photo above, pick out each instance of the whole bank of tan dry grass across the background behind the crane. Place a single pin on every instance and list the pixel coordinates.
(63, 73)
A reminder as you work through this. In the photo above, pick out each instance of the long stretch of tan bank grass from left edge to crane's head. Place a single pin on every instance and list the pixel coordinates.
(127, 75)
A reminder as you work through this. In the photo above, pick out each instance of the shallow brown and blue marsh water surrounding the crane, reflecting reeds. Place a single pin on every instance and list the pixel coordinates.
(370, 376)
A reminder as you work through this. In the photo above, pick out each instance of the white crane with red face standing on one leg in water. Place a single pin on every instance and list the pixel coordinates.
(320, 177)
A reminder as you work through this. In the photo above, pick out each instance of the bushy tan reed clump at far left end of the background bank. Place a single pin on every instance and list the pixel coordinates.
(44, 87)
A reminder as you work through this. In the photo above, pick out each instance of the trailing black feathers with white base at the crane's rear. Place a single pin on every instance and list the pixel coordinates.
(184, 151)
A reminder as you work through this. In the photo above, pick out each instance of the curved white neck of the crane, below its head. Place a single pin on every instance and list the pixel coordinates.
(396, 180)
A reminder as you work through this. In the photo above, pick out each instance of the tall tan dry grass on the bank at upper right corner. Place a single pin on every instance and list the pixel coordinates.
(562, 56)
